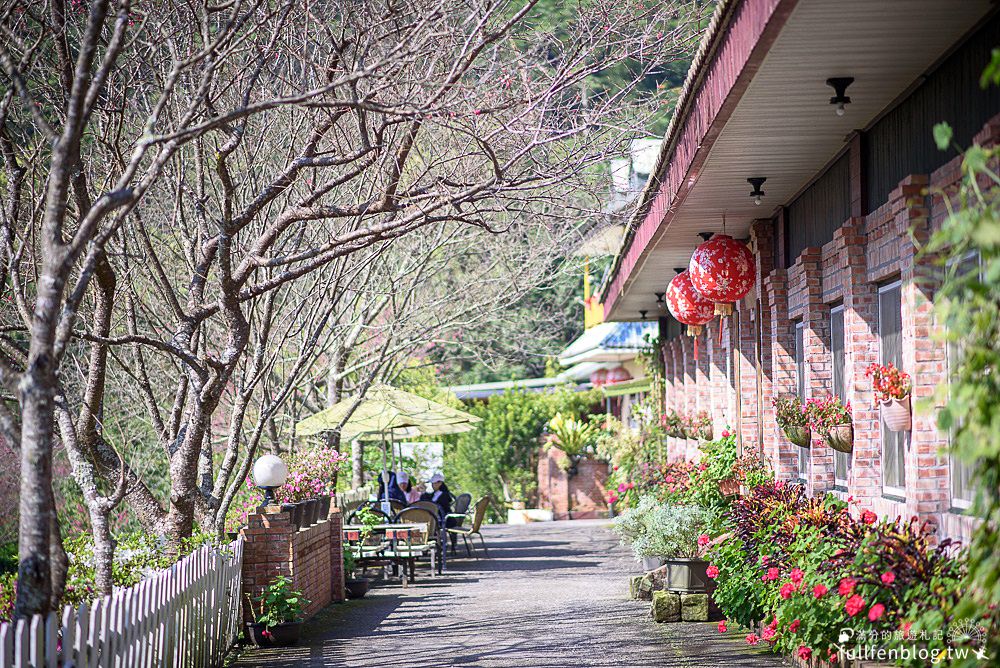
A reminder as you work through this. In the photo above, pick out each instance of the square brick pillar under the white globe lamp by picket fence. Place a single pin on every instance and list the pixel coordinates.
(267, 553)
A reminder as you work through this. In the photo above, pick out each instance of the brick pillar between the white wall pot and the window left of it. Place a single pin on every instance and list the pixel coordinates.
(860, 350)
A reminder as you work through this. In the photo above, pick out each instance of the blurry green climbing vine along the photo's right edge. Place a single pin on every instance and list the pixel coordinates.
(966, 250)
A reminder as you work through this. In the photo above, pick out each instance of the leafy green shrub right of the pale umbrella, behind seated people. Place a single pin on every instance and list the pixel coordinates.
(500, 456)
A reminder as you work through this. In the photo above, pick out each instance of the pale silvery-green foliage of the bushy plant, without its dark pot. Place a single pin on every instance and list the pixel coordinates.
(655, 529)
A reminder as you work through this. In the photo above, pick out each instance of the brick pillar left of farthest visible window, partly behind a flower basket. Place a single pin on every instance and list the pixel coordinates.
(782, 452)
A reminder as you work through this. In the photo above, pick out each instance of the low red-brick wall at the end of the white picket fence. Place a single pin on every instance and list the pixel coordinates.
(312, 557)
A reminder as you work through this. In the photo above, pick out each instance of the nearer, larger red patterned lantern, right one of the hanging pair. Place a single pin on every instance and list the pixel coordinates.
(722, 270)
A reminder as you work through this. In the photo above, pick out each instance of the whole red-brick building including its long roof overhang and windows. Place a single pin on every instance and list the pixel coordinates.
(846, 199)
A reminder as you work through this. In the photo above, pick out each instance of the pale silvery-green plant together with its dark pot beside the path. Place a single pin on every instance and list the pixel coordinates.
(665, 536)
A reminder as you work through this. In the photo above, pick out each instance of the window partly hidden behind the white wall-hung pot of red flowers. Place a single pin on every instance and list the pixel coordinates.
(890, 328)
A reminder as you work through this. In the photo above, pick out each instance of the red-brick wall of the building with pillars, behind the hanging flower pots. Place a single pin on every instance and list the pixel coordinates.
(865, 251)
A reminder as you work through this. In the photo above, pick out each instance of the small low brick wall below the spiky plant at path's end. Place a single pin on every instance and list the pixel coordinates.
(581, 496)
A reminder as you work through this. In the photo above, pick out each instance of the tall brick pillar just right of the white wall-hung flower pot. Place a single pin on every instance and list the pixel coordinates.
(924, 358)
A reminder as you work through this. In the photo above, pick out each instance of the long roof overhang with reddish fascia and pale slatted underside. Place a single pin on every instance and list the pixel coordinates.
(757, 104)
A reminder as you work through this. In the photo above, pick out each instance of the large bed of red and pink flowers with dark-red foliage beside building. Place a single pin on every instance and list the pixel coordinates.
(816, 579)
